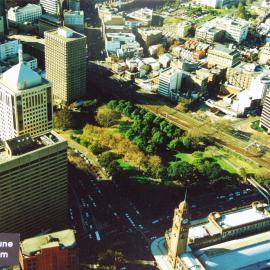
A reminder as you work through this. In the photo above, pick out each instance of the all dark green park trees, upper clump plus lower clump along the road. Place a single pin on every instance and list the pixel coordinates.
(155, 136)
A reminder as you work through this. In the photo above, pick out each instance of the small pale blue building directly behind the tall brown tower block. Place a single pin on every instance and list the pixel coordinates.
(74, 20)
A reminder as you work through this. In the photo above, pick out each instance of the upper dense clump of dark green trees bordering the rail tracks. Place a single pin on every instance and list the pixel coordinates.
(154, 135)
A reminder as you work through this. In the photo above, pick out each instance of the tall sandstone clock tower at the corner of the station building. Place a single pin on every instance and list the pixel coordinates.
(177, 242)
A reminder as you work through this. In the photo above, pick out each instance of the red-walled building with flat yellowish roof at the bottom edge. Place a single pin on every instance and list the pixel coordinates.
(57, 250)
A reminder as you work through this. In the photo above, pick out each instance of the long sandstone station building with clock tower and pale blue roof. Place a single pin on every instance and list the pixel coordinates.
(234, 239)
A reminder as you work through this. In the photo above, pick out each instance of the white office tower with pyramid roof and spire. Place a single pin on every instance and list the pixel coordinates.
(25, 102)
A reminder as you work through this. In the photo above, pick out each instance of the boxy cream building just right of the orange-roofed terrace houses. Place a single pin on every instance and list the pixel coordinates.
(223, 57)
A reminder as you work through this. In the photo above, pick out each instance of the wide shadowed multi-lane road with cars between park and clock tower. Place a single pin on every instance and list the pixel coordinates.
(101, 207)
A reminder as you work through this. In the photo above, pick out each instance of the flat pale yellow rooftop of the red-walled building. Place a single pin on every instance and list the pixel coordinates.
(63, 239)
